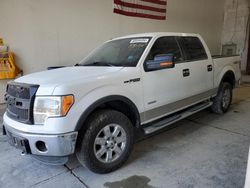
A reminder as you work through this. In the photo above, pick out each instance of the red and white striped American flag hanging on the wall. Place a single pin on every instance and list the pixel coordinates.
(152, 9)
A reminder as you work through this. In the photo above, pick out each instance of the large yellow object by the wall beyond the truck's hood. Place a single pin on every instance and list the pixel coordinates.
(8, 69)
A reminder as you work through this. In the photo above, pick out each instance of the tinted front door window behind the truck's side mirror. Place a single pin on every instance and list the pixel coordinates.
(165, 45)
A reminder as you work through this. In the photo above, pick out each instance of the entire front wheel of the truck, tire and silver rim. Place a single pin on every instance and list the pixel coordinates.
(107, 143)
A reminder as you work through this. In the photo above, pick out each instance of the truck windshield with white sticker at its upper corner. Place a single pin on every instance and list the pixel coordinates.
(122, 52)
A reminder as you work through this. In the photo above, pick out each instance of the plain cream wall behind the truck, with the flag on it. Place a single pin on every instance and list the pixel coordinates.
(43, 33)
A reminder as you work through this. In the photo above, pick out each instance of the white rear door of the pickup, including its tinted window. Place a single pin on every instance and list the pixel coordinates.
(200, 67)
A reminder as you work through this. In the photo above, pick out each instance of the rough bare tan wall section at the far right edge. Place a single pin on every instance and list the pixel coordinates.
(235, 26)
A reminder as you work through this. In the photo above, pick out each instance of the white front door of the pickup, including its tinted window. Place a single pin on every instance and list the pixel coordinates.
(163, 88)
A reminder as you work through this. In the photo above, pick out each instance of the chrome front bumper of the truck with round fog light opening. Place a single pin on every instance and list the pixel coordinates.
(42, 144)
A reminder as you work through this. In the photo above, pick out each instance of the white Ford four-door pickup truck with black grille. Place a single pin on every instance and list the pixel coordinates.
(129, 87)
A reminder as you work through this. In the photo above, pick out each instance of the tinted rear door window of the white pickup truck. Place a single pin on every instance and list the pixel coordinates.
(193, 48)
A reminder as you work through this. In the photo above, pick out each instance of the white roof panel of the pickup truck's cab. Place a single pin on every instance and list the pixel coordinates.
(158, 34)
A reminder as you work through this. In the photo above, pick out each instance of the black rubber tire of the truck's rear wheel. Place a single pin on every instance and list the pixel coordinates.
(218, 106)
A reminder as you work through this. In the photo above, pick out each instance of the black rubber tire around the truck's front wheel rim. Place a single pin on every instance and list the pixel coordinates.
(86, 153)
